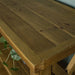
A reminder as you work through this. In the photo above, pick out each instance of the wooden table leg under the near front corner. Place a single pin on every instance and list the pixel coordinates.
(47, 71)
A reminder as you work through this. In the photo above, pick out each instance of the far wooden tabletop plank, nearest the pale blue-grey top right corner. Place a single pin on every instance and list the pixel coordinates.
(38, 8)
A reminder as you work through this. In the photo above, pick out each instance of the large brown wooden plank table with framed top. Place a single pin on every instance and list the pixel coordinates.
(42, 32)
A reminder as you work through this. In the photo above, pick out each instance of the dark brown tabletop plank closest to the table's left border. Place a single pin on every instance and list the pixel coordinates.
(32, 41)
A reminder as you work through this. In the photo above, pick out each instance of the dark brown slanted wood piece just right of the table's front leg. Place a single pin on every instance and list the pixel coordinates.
(57, 70)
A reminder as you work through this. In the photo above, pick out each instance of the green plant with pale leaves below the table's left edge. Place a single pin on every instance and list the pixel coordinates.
(12, 53)
